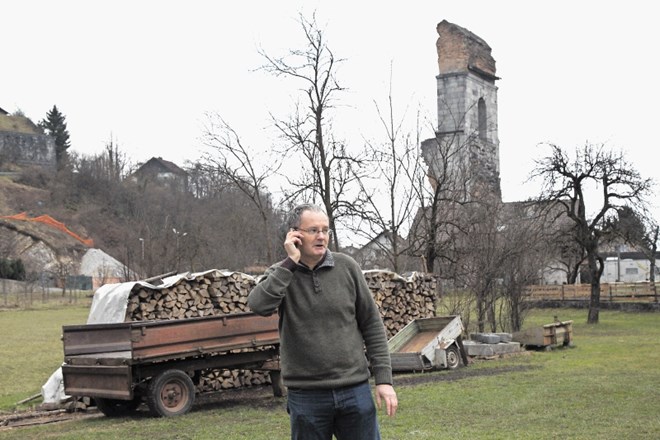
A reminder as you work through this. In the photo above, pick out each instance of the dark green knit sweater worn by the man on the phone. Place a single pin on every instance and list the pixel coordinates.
(327, 317)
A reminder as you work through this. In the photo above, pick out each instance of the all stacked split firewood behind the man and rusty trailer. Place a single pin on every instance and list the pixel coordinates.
(399, 299)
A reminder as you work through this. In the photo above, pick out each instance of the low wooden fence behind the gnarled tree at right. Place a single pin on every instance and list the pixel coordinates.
(609, 292)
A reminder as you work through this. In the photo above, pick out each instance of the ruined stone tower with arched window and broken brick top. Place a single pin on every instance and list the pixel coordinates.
(466, 143)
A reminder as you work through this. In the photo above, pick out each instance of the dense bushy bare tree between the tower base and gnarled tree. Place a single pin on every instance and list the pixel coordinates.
(500, 249)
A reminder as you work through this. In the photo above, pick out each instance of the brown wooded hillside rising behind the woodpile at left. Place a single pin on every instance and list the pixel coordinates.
(151, 226)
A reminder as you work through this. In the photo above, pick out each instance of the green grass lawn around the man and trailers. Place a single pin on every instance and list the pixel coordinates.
(605, 387)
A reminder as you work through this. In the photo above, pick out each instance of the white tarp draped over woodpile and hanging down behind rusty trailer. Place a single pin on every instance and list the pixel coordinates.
(109, 306)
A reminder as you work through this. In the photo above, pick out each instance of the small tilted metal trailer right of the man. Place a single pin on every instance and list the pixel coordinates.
(427, 344)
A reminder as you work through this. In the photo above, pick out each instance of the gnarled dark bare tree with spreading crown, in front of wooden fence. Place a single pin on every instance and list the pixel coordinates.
(566, 183)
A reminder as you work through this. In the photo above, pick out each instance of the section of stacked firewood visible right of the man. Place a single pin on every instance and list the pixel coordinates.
(401, 300)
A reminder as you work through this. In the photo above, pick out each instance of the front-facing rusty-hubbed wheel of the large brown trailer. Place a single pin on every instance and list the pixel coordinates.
(171, 393)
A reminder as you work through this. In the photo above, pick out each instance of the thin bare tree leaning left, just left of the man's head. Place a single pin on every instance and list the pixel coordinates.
(236, 162)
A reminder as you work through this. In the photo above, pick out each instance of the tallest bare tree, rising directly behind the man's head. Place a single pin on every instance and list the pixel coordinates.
(328, 169)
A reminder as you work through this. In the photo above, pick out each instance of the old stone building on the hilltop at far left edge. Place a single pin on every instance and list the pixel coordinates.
(22, 142)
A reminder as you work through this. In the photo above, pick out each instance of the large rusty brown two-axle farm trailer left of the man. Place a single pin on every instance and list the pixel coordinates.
(123, 364)
